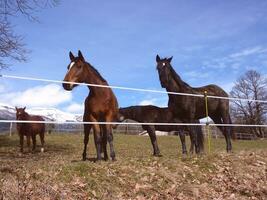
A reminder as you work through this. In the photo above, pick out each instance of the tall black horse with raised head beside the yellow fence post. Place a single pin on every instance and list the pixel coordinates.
(191, 109)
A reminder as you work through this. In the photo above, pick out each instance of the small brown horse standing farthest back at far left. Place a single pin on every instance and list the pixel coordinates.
(30, 130)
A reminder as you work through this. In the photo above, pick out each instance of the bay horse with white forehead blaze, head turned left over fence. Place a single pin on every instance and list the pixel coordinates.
(100, 105)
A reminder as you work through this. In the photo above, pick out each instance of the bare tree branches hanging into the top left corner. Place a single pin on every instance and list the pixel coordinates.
(11, 44)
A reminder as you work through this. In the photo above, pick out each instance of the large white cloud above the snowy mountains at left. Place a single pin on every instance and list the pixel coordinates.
(48, 95)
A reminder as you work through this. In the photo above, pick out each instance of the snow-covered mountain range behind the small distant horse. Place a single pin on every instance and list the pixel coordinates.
(49, 114)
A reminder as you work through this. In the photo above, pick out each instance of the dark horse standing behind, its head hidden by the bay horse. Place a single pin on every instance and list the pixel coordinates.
(154, 114)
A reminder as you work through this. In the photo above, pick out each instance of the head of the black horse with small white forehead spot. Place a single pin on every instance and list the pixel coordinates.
(164, 70)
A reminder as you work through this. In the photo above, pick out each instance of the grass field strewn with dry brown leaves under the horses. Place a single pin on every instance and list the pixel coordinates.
(59, 173)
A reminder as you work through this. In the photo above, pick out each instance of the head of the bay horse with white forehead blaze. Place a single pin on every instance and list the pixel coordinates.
(76, 71)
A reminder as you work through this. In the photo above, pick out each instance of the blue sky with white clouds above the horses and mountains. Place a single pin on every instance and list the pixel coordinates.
(210, 41)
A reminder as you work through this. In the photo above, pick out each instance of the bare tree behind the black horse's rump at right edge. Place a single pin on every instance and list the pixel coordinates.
(252, 85)
